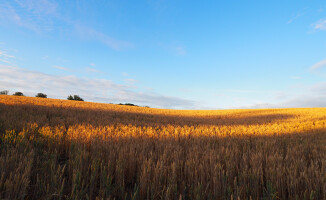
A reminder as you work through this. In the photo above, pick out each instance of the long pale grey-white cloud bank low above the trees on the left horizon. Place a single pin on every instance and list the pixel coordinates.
(100, 90)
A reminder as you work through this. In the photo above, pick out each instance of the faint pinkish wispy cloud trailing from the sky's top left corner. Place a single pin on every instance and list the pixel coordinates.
(42, 15)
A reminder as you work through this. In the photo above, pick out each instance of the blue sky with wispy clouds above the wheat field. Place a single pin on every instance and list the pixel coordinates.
(167, 54)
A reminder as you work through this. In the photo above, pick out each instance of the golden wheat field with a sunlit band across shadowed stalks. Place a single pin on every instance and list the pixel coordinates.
(60, 149)
